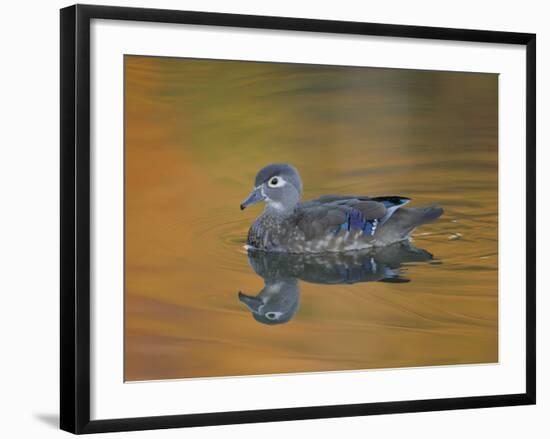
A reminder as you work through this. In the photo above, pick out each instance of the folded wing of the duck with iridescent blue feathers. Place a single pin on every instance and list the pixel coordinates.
(334, 213)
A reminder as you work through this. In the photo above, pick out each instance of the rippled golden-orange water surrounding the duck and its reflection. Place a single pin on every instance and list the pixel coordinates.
(196, 133)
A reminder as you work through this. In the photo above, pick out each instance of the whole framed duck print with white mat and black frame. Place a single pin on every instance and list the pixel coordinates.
(268, 218)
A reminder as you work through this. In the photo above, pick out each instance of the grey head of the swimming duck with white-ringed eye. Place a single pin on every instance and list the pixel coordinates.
(279, 186)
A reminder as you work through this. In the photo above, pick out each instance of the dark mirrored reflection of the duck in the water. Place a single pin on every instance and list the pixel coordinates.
(279, 300)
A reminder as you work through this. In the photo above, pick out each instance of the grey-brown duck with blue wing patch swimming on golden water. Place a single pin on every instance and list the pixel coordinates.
(330, 223)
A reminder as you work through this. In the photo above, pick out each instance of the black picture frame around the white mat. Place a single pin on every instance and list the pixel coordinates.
(75, 217)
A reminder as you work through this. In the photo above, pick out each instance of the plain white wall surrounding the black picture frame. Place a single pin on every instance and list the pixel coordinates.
(29, 250)
